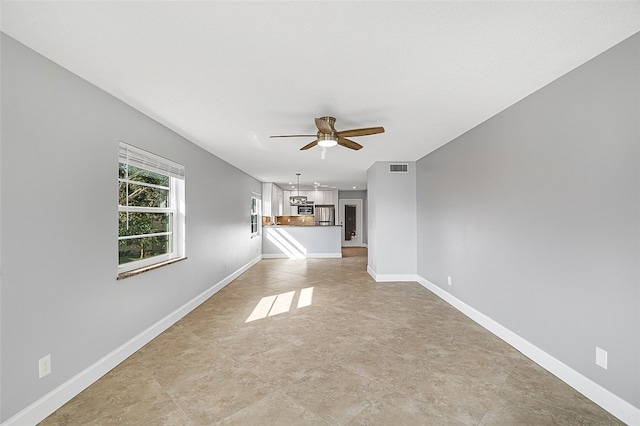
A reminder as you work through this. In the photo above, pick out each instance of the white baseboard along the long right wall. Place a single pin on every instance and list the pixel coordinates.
(596, 393)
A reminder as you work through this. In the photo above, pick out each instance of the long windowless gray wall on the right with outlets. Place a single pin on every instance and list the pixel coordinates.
(536, 216)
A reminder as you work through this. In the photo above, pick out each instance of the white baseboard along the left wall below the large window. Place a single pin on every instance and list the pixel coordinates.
(43, 407)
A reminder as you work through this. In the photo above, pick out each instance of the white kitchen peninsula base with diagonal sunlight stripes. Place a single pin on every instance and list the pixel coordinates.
(301, 242)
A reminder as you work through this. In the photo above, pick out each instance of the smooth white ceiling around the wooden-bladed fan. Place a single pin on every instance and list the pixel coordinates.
(226, 75)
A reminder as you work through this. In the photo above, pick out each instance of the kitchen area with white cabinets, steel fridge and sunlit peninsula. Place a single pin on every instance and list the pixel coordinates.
(300, 224)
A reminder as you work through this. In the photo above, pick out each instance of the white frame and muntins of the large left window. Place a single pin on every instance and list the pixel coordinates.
(141, 159)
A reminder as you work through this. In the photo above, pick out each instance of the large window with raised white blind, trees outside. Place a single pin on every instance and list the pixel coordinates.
(150, 209)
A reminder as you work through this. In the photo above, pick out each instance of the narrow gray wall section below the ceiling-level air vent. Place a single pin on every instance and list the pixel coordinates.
(391, 220)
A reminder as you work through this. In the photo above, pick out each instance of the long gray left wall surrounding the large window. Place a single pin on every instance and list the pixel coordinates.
(59, 292)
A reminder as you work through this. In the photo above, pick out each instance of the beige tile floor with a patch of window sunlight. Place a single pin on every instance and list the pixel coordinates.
(356, 353)
